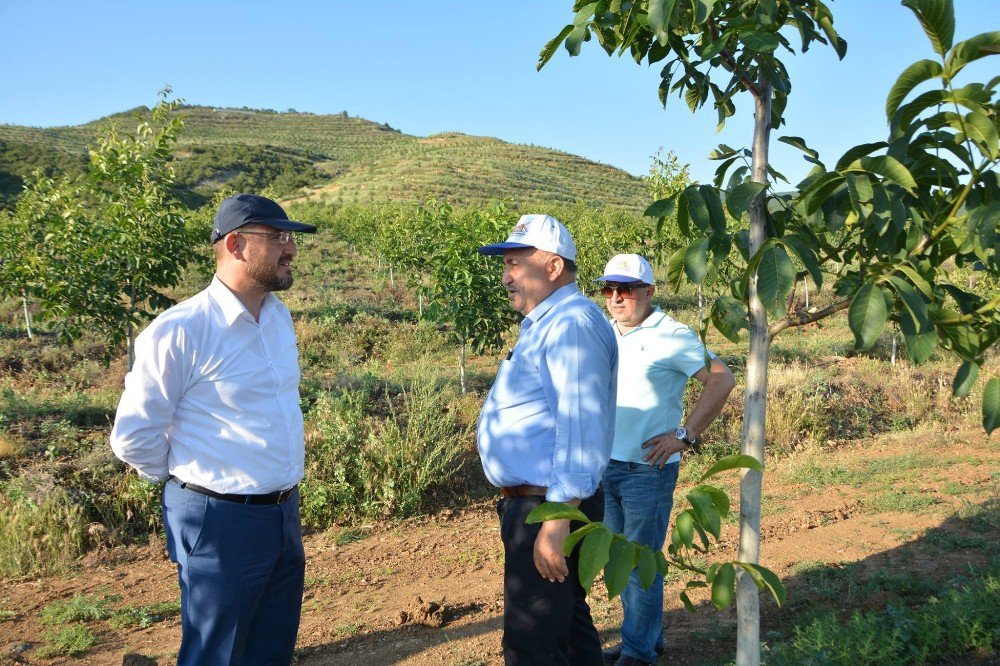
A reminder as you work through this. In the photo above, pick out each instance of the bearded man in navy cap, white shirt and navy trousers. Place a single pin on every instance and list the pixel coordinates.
(212, 407)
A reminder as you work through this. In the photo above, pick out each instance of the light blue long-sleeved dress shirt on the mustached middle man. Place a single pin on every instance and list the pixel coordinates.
(549, 419)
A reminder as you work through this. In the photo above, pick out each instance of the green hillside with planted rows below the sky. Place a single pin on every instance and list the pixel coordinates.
(336, 157)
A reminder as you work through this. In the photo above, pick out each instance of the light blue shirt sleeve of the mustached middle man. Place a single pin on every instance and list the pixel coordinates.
(579, 375)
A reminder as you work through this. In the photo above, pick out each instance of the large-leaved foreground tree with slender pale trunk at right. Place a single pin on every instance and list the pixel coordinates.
(883, 222)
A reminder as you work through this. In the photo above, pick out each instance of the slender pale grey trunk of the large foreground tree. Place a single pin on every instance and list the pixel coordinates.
(754, 405)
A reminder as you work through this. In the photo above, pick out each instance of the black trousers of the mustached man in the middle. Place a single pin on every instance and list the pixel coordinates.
(543, 622)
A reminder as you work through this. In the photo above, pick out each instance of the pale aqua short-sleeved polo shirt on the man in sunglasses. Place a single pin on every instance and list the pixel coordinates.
(655, 361)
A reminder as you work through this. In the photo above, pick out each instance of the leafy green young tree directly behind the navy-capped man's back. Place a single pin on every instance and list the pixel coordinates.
(140, 228)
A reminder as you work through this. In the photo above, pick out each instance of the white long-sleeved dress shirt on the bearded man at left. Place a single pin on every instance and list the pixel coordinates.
(213, 397)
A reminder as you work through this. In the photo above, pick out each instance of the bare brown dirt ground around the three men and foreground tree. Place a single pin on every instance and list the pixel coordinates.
(371, 601)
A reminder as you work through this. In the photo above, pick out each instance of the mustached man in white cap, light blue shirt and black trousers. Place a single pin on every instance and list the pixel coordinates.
(545, 433)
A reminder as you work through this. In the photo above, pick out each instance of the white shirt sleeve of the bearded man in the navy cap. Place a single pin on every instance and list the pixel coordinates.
(153, 389)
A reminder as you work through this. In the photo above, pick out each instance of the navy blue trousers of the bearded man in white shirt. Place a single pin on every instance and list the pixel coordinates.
(241, 570)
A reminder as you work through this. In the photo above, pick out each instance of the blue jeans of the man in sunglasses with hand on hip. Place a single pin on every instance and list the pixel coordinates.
(637, 503)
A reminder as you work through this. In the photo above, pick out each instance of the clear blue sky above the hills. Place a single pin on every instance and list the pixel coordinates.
(435, 66)
